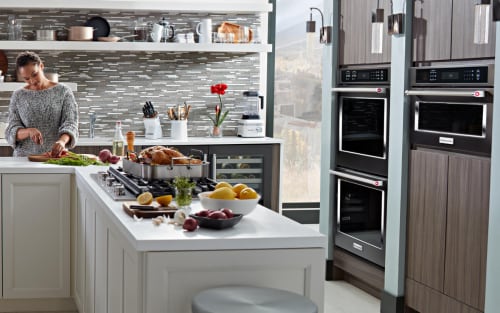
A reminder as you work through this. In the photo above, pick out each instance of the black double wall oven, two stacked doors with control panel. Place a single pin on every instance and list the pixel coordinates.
(360, 172)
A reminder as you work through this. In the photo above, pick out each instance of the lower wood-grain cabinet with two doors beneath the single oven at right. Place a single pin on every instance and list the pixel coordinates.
(447, 232)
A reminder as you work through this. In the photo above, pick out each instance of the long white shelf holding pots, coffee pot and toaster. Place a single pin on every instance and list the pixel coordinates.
(134, 46)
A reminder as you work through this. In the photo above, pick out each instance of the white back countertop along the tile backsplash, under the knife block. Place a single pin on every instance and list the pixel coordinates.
(166, 141)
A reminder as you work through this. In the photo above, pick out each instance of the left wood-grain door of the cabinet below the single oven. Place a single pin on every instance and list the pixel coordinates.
(426, 226)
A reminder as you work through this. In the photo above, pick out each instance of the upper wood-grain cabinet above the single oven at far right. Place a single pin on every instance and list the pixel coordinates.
(444, 30)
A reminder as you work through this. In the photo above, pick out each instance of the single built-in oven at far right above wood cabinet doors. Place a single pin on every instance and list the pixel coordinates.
(452, 108)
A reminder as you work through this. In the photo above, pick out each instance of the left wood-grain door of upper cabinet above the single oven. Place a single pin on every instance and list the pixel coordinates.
(432, 30)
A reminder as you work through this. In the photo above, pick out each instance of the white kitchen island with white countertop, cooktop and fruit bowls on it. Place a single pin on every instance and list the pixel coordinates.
(123, 265)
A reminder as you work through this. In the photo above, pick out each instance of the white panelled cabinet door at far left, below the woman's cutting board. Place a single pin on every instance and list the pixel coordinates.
(36, 241)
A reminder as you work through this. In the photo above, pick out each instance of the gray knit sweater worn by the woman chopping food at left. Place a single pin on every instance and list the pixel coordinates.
(52, 111)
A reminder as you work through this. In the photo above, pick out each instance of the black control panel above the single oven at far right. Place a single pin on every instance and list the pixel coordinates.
(438, 76)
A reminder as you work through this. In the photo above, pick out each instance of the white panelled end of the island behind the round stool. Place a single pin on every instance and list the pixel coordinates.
(173, 278)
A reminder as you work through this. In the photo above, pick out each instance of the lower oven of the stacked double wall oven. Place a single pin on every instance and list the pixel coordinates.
(361, 210)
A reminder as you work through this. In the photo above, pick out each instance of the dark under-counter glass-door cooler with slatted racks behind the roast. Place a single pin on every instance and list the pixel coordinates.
(253, 165)
